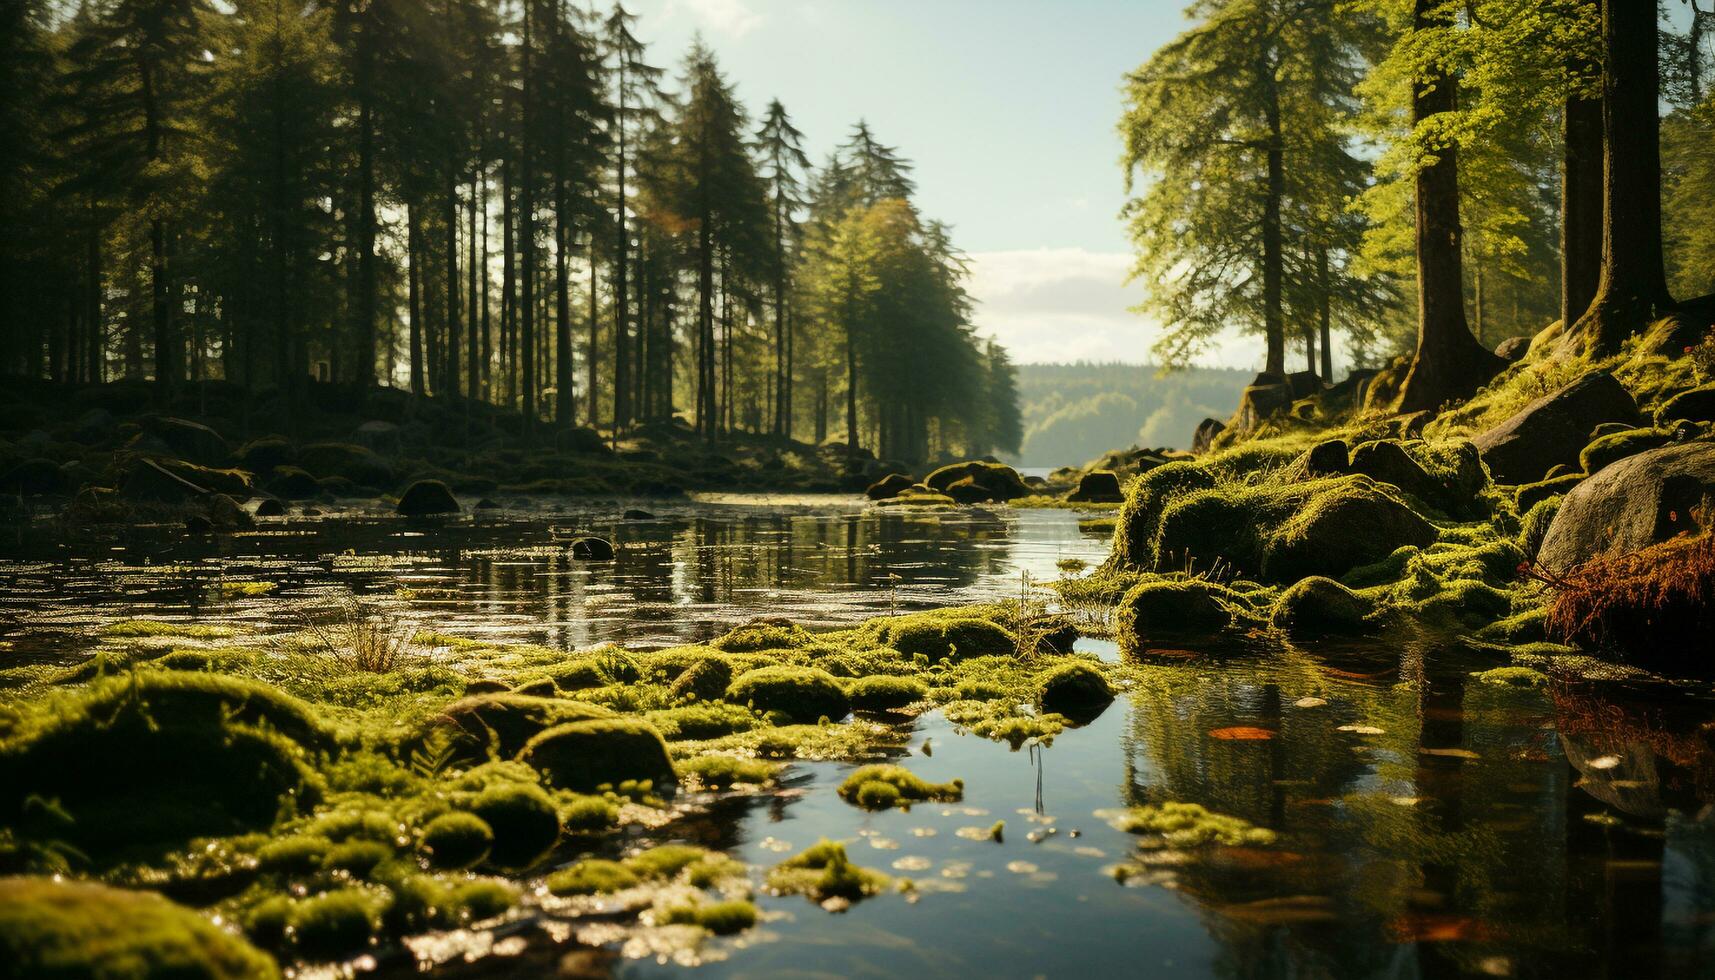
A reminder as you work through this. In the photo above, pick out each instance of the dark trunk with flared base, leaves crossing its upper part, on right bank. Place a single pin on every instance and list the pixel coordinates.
(1450, 365)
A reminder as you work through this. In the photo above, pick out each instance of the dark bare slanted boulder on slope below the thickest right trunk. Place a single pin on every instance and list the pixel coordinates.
(1555, 428)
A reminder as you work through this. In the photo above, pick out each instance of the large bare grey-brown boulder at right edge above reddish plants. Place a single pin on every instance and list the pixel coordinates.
(1634, 504)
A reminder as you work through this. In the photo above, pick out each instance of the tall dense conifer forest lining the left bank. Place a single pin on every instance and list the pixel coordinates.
(481, 200)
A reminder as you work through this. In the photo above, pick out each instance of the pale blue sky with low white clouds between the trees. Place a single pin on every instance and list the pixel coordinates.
(1009, 111)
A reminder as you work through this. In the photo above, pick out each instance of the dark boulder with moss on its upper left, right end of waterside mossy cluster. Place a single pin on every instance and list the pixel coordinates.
(1345, 524)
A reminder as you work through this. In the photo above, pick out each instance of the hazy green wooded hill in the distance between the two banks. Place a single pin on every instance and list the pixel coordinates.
(1074, 413)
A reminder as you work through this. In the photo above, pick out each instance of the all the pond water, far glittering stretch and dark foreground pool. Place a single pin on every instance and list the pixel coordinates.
(1426, 821)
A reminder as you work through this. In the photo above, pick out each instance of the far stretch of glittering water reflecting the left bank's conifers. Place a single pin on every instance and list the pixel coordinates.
(685, 576)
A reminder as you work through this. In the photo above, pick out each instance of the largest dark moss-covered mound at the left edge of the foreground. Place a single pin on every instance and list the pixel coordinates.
(160, 758)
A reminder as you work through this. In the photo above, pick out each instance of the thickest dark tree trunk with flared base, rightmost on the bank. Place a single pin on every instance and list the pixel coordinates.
(1634, 286)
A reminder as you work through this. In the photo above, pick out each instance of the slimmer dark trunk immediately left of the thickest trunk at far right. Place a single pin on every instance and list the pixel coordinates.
(1580, 207)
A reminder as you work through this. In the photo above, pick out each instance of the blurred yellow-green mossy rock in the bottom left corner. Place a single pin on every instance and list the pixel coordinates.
(76, 929)
